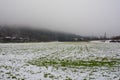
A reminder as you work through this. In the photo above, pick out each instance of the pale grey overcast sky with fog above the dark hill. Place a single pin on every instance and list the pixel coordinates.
(84, 17)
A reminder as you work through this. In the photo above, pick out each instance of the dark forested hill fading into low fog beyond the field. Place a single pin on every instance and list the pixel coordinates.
(25, 34)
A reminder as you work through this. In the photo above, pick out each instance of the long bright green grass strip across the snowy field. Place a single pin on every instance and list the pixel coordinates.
(72, 63)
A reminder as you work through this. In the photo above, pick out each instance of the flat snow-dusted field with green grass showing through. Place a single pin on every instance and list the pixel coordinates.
(60, 61)
